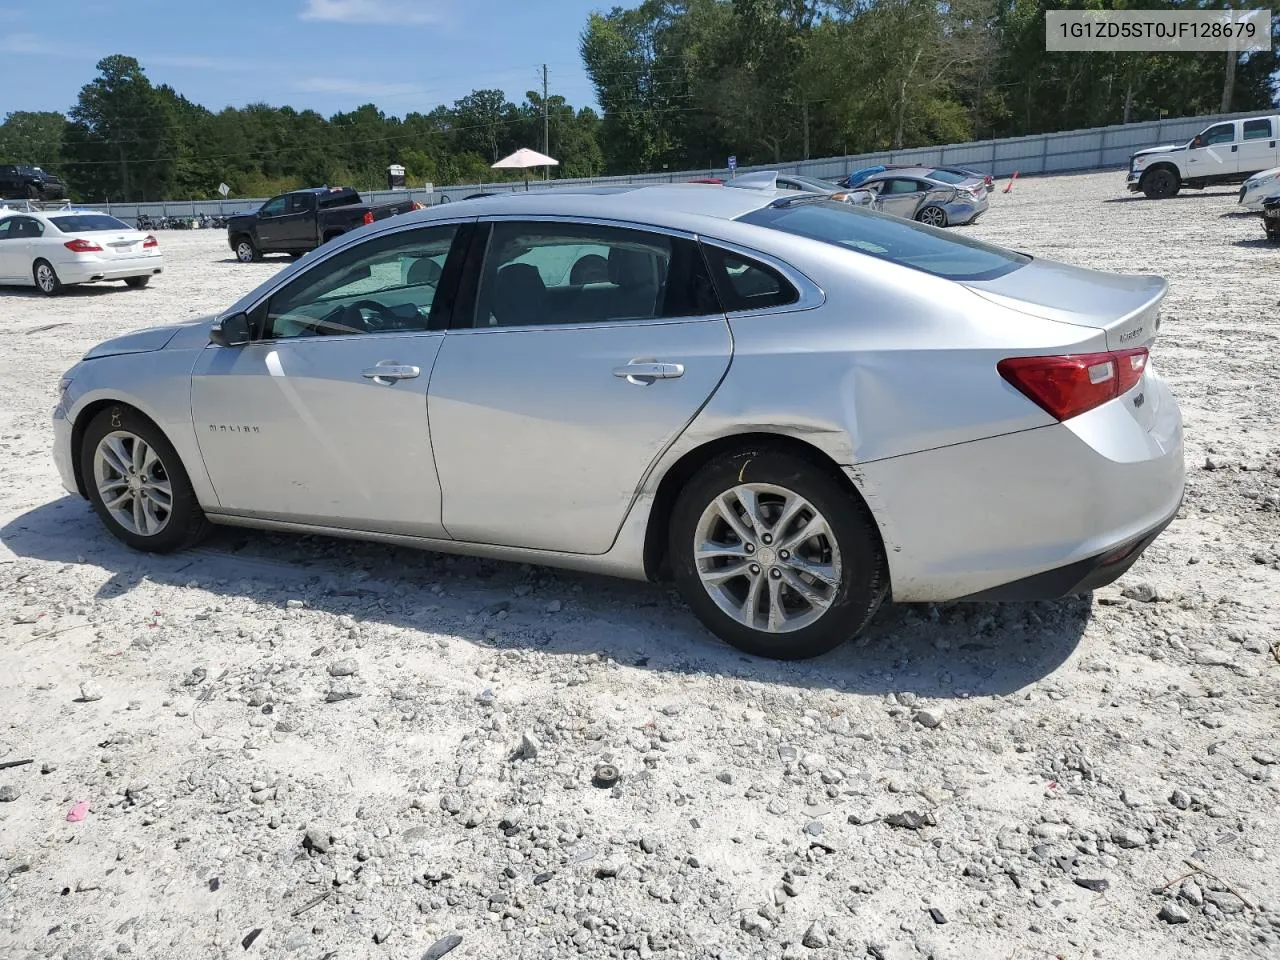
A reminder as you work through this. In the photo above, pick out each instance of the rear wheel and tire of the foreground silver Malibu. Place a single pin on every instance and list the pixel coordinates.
(857, 566)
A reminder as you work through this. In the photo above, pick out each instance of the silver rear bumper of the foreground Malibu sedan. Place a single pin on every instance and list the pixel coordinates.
(1069, 501)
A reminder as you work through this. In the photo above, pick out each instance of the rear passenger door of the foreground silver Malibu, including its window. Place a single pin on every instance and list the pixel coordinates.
(551, 401)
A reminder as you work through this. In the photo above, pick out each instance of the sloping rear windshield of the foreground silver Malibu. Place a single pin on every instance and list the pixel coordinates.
(886, 237)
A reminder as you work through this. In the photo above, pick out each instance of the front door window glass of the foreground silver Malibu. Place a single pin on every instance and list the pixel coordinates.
(385, 285)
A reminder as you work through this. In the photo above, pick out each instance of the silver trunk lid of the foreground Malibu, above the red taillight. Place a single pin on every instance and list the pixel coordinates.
(1126, 307)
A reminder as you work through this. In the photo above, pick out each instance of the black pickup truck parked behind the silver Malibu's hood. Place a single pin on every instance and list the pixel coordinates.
(295, 223)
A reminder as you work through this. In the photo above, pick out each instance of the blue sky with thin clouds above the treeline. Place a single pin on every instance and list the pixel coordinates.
(328, 56)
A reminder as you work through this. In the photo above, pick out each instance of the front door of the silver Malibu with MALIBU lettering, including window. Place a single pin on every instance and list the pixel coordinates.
(322, 418)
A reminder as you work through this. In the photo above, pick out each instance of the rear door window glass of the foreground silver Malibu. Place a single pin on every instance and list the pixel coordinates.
(570, 273)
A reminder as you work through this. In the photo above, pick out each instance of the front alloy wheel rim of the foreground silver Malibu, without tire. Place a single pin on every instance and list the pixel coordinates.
(134, 483)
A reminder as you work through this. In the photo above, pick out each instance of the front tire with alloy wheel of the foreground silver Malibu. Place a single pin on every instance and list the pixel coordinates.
(108, 458)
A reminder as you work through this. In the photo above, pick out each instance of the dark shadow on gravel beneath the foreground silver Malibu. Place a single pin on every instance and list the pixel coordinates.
(950, 651)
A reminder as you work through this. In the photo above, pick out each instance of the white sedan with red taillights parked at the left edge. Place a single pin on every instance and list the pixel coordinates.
(52, 250)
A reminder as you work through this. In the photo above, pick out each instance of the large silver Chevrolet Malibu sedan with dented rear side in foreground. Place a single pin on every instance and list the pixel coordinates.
(794, 408)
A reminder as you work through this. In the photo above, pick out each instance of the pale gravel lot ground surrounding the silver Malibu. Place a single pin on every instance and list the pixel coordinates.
(304, 748)
